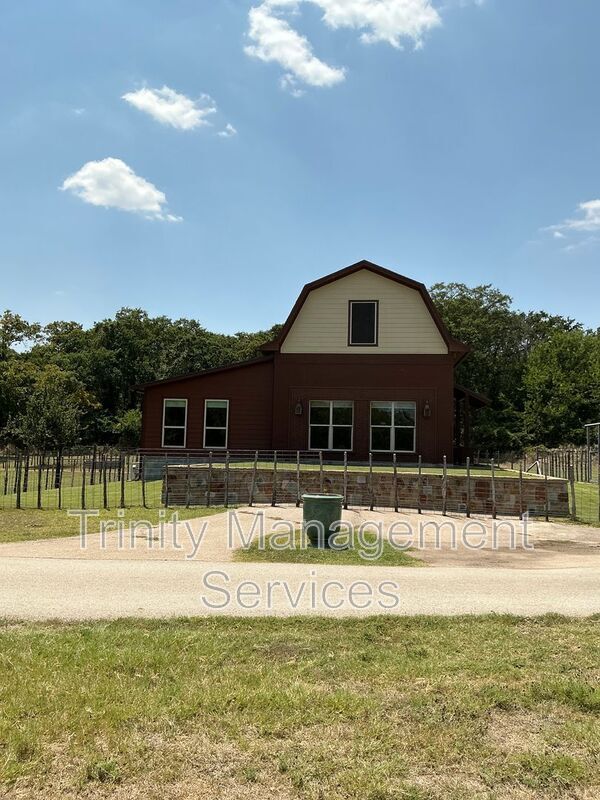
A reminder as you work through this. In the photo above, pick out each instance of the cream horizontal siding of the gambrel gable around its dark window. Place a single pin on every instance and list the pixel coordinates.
(405, 324)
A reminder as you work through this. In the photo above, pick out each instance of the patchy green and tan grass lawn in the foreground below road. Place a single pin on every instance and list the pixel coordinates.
(383, 709)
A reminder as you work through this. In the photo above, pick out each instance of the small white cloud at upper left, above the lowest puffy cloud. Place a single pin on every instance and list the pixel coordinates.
(171, 108)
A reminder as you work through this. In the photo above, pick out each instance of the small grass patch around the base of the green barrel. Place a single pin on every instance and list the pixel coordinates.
(368, 551)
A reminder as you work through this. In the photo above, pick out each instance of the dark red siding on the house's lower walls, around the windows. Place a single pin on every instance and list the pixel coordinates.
(262, 399)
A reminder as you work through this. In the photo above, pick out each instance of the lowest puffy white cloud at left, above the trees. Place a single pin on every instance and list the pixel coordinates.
(112, 184)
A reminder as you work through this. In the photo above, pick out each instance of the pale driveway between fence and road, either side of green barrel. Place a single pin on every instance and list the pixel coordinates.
(439, 541)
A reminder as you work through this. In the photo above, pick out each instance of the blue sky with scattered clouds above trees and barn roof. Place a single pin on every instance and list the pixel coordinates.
(465, 155)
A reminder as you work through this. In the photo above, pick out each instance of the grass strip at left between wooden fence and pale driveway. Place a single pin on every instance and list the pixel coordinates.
(24, 525)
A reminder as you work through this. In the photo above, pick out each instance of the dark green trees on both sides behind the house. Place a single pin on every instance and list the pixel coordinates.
(62, 384)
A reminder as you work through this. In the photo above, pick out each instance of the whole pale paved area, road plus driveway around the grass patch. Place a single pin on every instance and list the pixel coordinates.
(153, 573)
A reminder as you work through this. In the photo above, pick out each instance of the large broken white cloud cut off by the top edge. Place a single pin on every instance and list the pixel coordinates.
(390, 21)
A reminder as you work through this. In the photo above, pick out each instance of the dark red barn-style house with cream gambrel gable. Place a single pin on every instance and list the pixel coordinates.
(363, 363)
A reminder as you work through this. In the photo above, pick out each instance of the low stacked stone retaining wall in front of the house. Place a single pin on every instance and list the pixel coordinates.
(199, 485)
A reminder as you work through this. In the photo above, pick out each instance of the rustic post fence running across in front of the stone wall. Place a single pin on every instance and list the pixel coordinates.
(107, 478)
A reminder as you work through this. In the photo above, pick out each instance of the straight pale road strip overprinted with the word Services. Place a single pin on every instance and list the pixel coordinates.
(74, 590)
